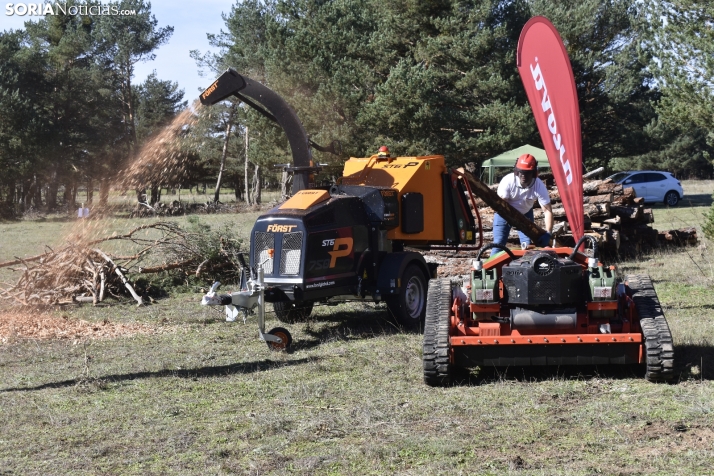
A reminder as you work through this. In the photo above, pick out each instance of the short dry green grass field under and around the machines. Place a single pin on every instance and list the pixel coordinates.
(202, 396)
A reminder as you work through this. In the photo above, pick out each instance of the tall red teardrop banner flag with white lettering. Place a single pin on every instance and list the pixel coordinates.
(547, 76)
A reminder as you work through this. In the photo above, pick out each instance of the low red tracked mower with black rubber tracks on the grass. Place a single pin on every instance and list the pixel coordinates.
(551, 306)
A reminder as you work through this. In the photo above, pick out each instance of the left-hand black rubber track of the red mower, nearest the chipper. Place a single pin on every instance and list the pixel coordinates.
(438, 369)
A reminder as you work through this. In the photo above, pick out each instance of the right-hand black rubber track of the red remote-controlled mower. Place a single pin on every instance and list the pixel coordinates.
(658, 337)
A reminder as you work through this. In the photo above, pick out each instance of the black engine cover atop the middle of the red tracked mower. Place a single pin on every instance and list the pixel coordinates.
(542, 278)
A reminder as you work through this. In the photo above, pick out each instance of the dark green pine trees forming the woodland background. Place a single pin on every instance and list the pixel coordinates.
(435, 77)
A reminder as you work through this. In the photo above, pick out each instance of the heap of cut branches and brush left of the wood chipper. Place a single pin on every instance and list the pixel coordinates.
(82, 272)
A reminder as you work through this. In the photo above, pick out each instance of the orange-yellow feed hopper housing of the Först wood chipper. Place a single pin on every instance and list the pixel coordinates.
(405, 174)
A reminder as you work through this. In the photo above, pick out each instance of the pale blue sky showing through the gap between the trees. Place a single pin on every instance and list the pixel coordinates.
(191, 22)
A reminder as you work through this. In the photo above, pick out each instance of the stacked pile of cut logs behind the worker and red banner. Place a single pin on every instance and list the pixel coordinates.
(614, 216)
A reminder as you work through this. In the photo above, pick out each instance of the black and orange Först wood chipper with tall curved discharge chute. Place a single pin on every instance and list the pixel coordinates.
(347, 241)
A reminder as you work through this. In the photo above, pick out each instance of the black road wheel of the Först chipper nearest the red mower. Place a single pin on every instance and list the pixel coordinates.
(409, 307)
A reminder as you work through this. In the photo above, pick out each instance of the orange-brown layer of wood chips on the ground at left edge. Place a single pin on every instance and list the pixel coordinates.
(29, 325)
